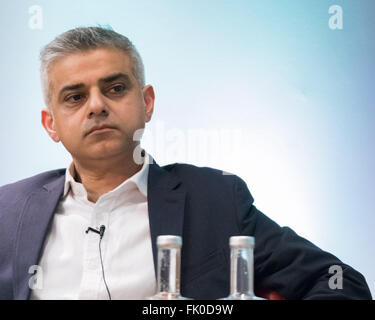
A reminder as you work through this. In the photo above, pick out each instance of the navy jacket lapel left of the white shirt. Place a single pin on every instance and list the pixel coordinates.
(31, 233)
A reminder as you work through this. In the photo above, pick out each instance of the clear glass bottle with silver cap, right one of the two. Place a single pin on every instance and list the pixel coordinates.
(242, 269)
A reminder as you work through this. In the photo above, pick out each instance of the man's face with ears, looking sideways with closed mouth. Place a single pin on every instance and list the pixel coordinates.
(96, 90)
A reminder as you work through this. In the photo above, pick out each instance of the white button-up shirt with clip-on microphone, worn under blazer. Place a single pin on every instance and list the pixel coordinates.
(70, 262)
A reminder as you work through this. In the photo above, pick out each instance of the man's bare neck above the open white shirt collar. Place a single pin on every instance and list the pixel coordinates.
(103, 175)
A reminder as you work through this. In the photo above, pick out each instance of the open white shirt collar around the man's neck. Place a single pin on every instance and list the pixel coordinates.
(139, 178)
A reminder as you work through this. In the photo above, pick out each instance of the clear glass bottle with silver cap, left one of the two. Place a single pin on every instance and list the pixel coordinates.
(169, 265)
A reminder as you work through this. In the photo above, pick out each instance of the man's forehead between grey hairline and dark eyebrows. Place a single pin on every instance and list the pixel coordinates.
(87, 67)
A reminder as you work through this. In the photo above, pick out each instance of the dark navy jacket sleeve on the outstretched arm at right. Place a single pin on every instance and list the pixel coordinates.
(289, 264)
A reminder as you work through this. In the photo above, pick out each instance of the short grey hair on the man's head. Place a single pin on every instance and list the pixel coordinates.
(84, 39)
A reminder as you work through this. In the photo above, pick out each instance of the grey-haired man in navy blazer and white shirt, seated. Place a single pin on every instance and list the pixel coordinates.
(97, 105)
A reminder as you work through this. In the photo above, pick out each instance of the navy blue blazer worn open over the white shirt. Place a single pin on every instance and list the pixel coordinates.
(203, 206)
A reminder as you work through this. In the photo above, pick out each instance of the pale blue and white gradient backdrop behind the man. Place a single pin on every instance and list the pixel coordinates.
(300, 94)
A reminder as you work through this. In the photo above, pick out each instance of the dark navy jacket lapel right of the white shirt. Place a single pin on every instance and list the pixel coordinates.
(166, 203)
